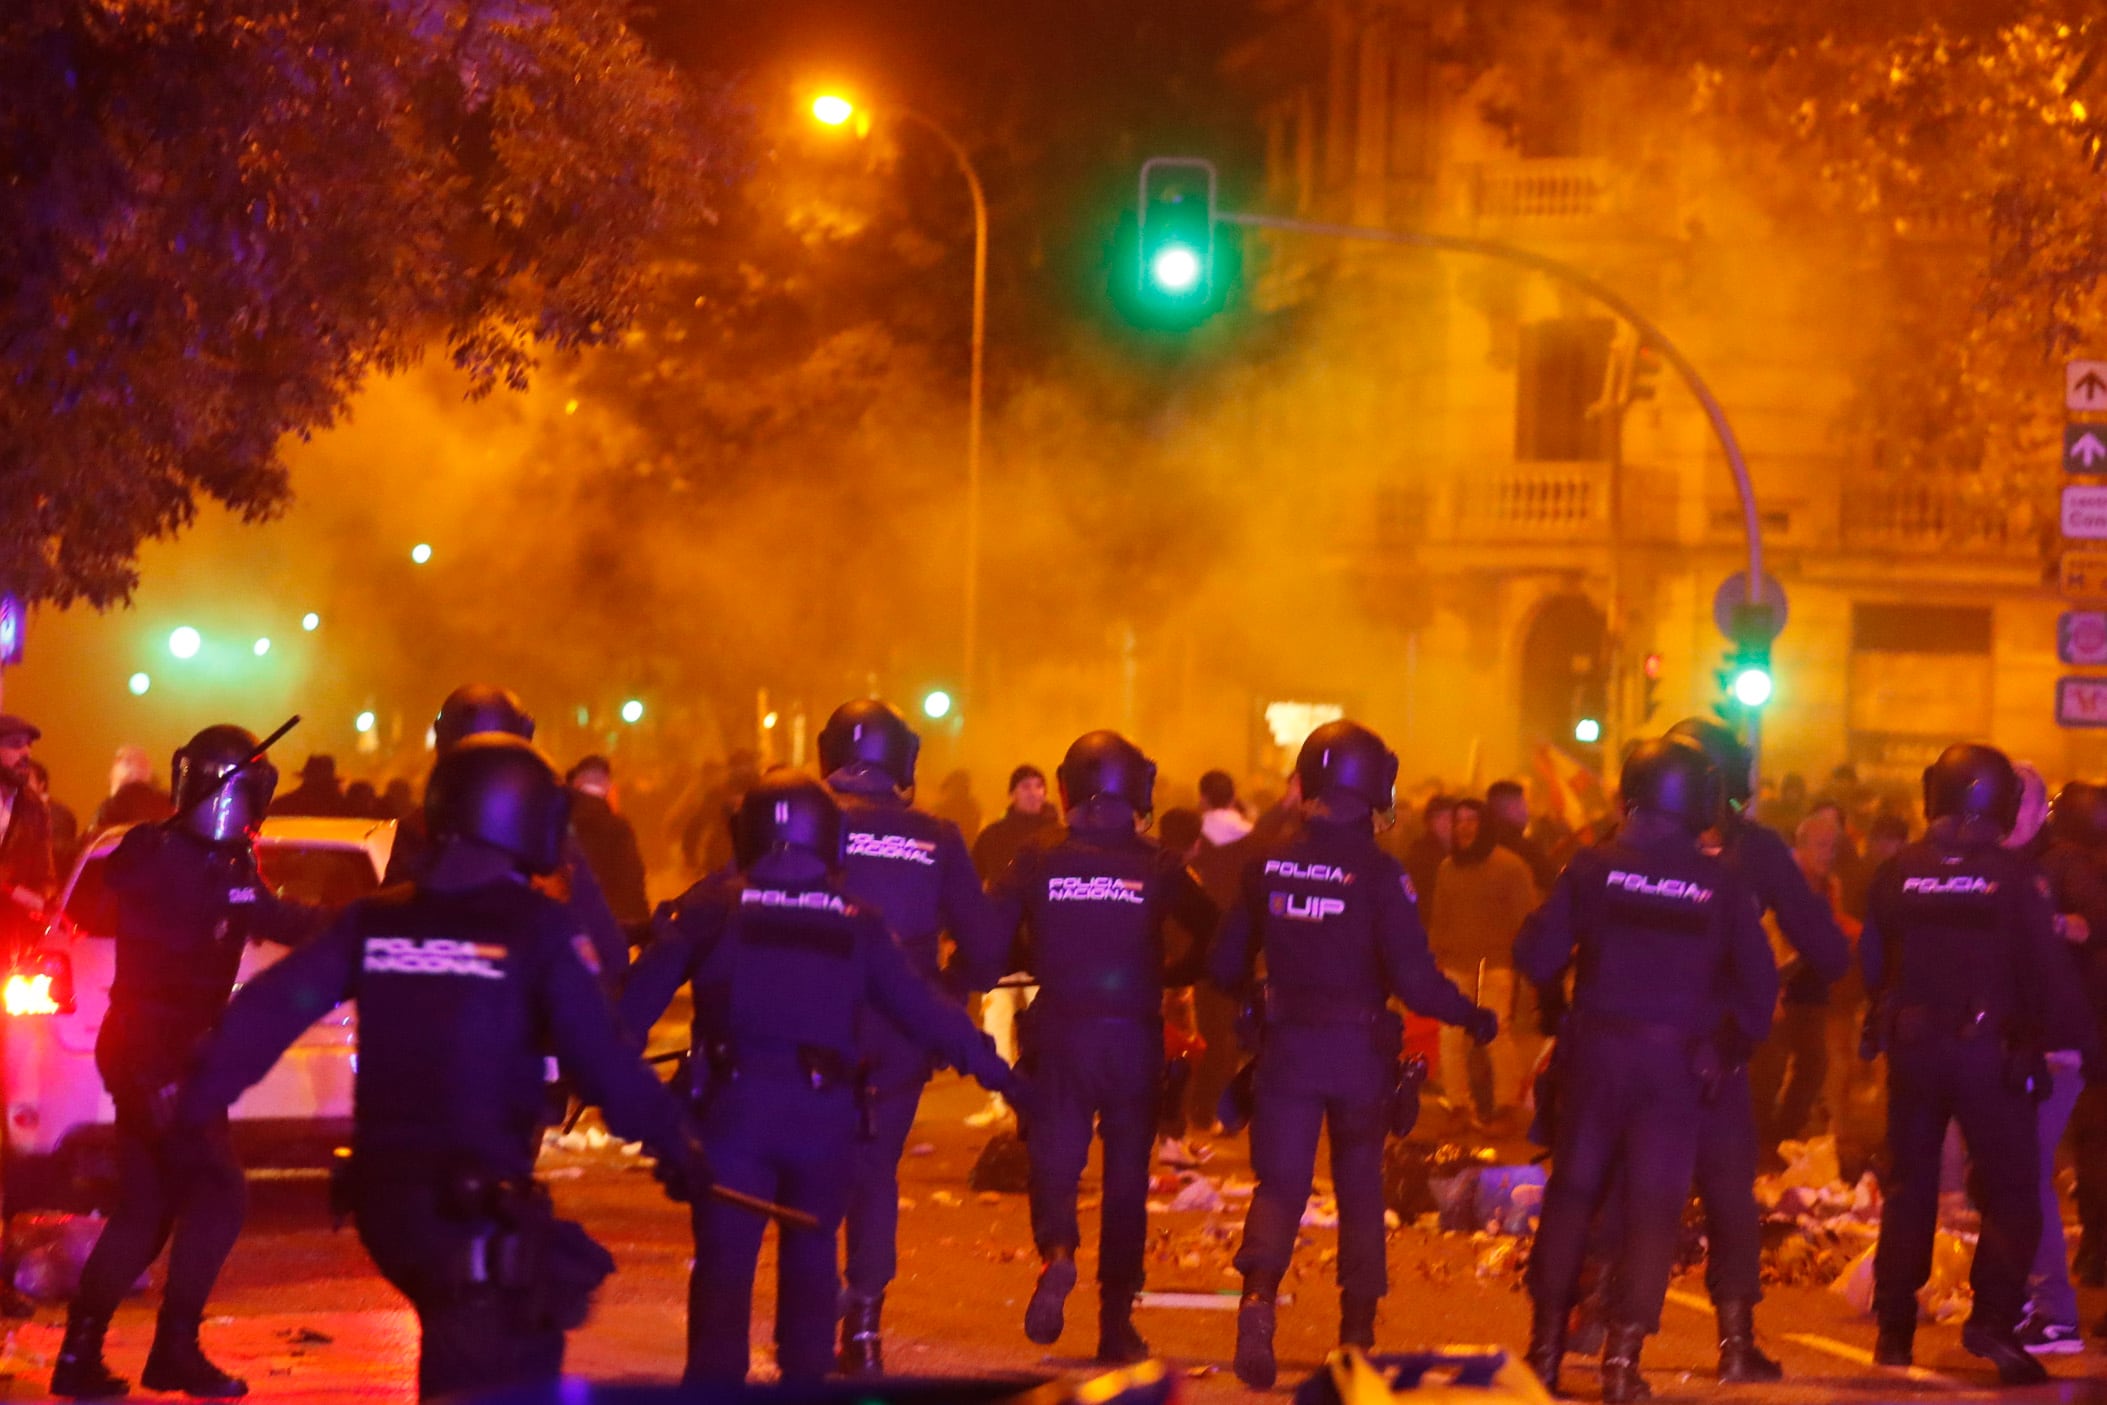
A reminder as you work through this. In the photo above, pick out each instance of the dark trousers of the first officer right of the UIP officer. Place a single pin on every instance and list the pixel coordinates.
(1630, 1120)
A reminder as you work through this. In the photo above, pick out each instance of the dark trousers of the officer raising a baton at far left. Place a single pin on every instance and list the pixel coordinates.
(191, 1193)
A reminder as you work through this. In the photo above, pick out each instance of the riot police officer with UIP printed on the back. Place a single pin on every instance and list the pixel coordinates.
(1337, 922)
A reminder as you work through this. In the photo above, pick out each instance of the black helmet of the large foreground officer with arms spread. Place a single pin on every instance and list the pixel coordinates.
(498, 791)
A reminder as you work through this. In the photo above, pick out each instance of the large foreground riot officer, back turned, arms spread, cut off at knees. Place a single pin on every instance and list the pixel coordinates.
(460, 981)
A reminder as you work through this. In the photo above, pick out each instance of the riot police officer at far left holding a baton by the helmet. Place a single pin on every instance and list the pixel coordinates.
(189, 901)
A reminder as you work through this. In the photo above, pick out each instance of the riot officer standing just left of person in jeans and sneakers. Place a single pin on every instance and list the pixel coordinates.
(1969, 989)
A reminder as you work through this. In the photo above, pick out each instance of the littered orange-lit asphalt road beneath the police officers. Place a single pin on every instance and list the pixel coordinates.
(307, 1320)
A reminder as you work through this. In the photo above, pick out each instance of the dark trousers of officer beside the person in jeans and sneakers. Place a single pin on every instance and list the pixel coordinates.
(1935, 1082)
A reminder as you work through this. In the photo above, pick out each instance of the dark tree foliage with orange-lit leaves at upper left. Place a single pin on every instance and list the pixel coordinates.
(222, 216)
